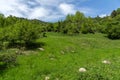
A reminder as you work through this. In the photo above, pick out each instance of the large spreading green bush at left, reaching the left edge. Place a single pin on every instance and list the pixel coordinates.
(24, 33)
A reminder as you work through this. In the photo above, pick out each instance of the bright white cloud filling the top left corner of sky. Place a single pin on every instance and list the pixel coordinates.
(8, 7)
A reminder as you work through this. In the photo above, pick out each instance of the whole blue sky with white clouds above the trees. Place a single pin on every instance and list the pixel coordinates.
(54, 10)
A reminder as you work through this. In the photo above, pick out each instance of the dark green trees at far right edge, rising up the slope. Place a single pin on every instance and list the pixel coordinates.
(113, 26)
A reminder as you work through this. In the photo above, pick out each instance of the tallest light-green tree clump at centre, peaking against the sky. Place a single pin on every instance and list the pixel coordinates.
(72, 23)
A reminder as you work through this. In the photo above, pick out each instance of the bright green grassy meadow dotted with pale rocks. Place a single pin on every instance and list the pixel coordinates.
(64, 55)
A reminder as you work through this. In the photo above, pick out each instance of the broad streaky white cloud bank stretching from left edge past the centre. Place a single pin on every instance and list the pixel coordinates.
(47, 10)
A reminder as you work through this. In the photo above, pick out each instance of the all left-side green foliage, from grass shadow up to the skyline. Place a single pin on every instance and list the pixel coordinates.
(19, 30)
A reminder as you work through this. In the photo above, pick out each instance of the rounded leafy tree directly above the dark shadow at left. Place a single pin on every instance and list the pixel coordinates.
(26, 32)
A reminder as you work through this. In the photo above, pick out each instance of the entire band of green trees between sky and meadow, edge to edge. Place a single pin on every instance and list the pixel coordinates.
(22, 31)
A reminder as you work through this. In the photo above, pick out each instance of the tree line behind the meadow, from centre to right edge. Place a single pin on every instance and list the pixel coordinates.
(80, 24)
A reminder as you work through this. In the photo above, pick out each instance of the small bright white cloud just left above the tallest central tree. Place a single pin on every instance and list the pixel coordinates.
(67, 8)
